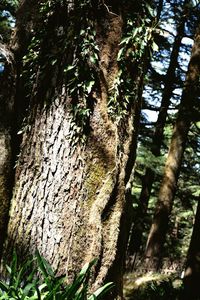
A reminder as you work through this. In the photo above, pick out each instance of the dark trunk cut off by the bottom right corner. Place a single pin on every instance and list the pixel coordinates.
(192, 272)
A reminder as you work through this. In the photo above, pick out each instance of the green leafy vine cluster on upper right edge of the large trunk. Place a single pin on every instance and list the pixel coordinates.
(135, 48)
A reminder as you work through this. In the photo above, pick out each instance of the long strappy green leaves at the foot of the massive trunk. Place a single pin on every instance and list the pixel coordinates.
(24, 283)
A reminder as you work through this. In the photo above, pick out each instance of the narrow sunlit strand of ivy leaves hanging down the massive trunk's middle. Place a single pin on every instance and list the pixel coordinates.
(81, 77)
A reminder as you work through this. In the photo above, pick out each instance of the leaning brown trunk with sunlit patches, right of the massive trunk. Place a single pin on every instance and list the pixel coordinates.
(166, 195)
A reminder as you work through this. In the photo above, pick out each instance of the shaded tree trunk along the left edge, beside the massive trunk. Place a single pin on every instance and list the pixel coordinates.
(11, 103)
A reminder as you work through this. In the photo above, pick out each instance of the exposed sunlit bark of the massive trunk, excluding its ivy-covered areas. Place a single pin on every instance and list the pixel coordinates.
(69, 198)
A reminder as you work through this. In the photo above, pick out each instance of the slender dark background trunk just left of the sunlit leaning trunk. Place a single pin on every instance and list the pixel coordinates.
(148, 179)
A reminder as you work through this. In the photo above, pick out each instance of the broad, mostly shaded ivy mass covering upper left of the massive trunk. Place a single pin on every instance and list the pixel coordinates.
(73, 50)
